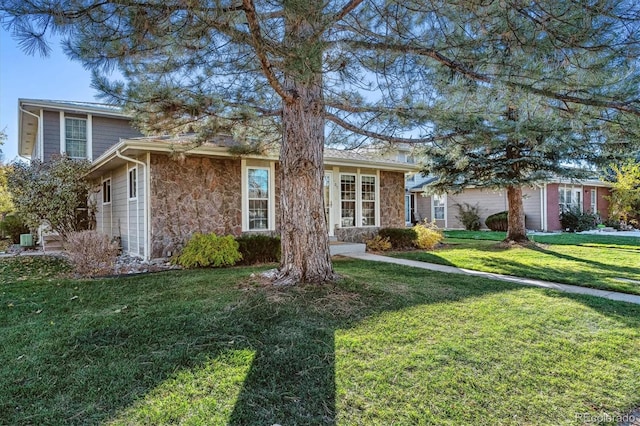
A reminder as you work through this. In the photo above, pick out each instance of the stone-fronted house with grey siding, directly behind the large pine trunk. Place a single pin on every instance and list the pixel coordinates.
(156, 192)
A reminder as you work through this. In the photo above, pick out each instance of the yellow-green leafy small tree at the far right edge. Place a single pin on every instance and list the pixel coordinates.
(625, 198)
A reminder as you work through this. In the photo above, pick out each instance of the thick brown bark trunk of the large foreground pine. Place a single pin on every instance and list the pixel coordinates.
(305, 238)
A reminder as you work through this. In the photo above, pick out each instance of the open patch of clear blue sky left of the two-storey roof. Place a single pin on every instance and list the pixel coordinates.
(24, 76)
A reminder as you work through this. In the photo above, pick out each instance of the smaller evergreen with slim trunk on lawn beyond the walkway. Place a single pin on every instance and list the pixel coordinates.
(505, 131)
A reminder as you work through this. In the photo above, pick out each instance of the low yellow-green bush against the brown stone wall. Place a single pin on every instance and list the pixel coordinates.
(209, 250)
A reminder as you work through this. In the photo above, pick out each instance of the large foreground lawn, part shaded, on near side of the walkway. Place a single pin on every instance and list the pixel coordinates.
(385, 345)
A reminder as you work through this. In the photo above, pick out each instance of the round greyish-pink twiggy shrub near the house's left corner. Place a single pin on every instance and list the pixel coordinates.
(91, 253)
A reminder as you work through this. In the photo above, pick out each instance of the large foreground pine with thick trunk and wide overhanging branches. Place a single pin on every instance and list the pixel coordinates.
(303, 69)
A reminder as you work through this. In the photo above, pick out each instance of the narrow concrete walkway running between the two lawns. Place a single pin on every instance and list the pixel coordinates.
(611, 295)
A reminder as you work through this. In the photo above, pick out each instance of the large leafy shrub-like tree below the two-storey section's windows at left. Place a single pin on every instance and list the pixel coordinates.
(54, 193)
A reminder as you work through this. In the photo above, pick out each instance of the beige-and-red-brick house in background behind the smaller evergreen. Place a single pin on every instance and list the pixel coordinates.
(542, 203)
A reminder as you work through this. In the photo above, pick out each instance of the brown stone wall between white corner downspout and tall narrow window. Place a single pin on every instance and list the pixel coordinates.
(194, 194)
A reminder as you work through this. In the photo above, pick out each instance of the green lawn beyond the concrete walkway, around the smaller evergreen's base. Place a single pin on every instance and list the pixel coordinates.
(608, 263)
